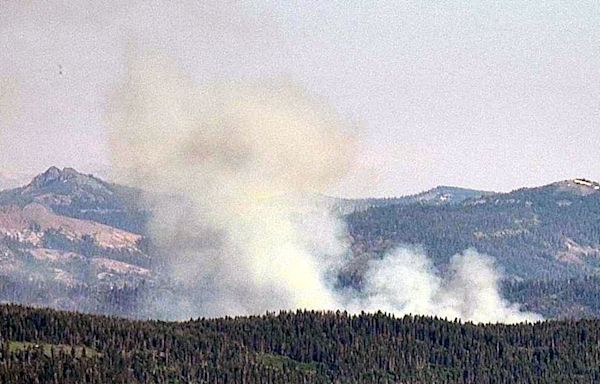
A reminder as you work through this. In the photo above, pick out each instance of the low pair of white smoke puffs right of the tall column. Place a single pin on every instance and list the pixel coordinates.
(405, 281)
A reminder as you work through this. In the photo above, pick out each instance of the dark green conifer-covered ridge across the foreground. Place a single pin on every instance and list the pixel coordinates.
(41, 345)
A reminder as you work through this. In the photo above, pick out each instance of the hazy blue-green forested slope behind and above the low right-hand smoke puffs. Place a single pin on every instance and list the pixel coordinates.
(551, 232)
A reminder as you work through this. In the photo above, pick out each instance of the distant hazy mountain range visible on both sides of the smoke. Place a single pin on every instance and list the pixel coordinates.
(74, 241)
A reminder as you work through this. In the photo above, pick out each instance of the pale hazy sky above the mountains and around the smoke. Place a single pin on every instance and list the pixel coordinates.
(491, 95)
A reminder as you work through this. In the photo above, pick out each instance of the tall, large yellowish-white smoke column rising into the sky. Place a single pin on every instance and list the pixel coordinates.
(239, 154)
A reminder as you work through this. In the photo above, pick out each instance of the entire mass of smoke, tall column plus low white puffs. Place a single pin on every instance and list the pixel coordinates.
(239, 230)
